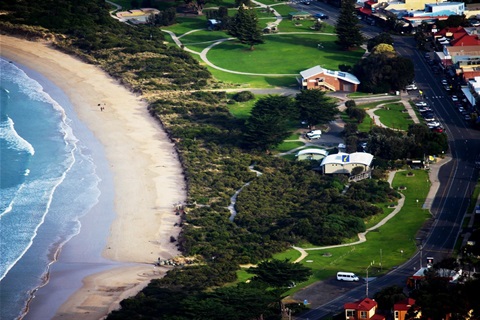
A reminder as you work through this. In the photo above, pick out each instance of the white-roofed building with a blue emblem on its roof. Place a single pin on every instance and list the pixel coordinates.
(344, 163)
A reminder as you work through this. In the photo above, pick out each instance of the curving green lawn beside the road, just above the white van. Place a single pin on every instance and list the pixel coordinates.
(383, 247)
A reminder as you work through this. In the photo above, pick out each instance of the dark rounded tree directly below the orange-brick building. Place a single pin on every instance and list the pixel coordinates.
(315, 107)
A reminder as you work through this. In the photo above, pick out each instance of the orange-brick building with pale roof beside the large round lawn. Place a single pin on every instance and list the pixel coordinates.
(323, 79)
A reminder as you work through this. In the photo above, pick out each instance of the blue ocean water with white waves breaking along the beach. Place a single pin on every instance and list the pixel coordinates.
(49, 180)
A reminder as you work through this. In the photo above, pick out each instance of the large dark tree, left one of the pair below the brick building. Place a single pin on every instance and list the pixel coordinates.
(268, 124)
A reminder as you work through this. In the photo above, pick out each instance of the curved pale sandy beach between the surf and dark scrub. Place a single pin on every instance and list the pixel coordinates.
(147, 179)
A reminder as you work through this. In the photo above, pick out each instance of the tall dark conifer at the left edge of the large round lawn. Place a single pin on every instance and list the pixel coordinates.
(245, 27)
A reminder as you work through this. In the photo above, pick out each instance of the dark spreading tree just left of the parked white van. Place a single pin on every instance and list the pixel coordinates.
(278, 273)
